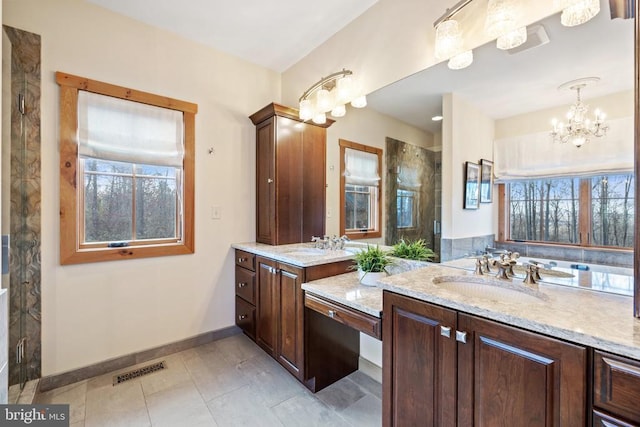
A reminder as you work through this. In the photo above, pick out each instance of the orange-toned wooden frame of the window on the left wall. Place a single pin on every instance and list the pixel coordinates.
(71, 211)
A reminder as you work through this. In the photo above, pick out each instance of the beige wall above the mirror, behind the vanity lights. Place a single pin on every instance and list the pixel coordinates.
(392, 40)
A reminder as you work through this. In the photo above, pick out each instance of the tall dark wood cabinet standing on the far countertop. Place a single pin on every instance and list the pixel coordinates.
(290, 176)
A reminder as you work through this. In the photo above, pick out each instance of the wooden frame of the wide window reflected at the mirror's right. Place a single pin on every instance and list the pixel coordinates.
(584, 220)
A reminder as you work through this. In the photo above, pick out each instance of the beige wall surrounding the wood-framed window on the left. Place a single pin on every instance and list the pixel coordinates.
(94, 312)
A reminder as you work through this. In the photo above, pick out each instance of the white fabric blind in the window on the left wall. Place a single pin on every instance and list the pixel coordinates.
(116, 129)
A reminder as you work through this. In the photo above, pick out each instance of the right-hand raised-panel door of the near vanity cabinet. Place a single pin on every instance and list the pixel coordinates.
(507, 376)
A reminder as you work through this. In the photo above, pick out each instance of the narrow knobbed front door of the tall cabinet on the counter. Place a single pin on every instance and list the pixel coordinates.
(265, 183)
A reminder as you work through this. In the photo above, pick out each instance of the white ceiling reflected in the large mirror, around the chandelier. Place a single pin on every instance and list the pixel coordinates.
(503, 85)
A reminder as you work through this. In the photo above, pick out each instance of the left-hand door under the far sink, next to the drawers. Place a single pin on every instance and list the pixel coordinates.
(266, 305)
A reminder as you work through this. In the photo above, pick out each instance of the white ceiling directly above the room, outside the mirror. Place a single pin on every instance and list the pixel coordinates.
(272, 33)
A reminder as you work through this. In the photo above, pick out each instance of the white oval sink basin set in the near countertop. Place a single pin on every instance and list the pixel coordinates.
(490, 289)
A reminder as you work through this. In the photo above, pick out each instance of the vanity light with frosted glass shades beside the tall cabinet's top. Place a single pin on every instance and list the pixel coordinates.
(330, 94)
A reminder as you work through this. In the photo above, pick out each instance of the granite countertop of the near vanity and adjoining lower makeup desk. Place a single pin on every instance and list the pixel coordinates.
(600, 320)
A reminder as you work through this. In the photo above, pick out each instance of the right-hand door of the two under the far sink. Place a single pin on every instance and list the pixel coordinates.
(290, 348)
